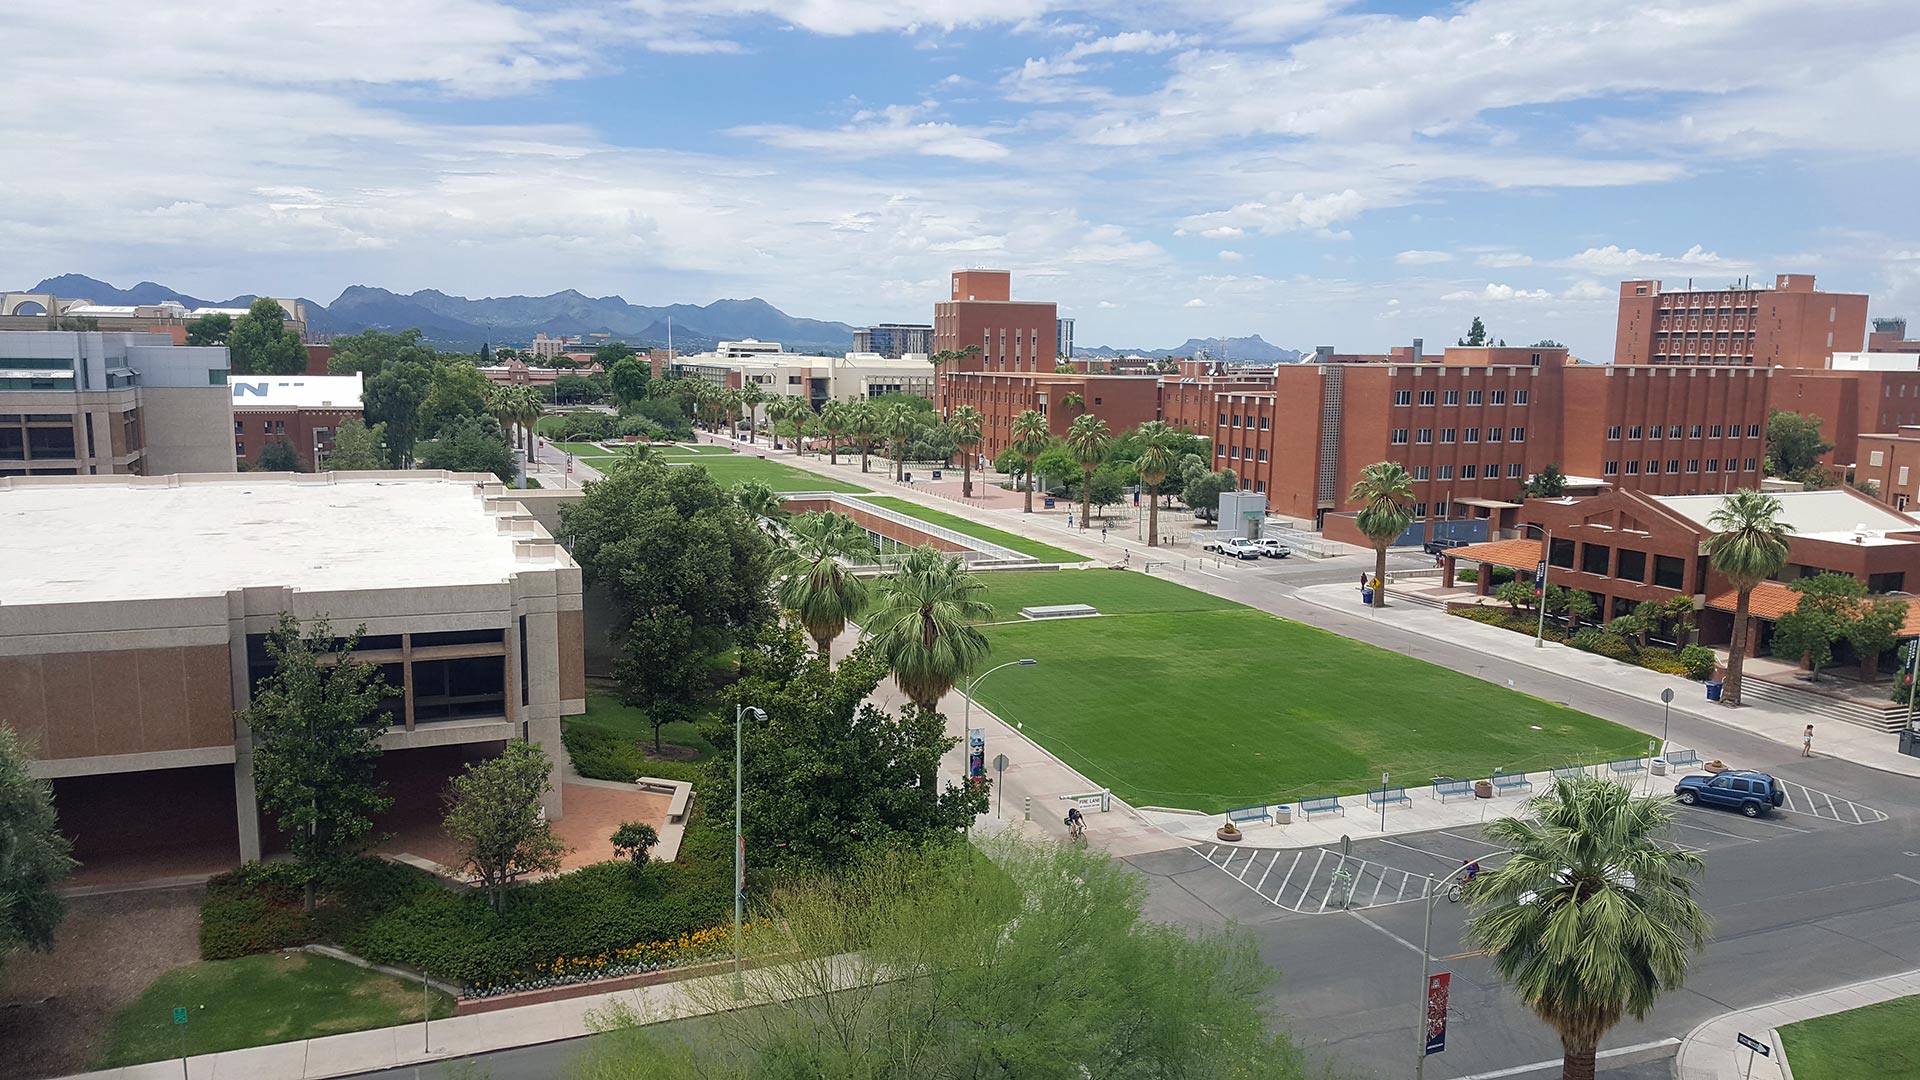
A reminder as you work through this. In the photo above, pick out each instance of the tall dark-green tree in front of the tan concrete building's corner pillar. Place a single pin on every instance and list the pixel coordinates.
(316, 724)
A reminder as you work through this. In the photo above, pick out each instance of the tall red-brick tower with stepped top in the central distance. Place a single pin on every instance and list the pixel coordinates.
(1011, 335)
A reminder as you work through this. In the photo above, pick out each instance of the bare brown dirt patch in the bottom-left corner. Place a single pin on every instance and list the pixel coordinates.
(55, 1008)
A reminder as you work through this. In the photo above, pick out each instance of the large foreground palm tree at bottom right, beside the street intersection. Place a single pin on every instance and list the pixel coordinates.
(1593, 918)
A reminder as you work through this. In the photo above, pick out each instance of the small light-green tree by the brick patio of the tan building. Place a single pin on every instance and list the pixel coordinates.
(496, 822)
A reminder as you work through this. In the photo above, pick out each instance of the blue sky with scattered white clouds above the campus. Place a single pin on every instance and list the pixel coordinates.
(1316, 172)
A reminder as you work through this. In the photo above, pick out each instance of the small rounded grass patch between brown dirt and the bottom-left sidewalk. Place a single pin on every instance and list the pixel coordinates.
(260, 1000)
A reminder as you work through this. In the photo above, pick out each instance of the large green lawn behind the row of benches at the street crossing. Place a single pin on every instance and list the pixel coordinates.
(1182, 699)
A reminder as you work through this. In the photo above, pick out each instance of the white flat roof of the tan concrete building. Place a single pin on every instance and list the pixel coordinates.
(74, 543)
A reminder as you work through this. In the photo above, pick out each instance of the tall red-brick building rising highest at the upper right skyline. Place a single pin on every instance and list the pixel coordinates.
(1787, 326)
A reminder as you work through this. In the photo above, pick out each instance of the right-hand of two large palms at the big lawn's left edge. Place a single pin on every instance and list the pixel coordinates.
(924, 620)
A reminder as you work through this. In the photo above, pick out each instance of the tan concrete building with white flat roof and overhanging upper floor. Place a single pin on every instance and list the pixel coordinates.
(133, 620)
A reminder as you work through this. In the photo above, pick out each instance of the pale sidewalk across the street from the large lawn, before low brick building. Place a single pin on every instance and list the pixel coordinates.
(1835, 739)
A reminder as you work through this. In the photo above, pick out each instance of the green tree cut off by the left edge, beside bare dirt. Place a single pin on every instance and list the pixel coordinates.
(34, 854)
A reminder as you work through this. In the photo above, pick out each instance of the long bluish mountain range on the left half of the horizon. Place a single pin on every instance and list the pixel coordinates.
(460, 322)
